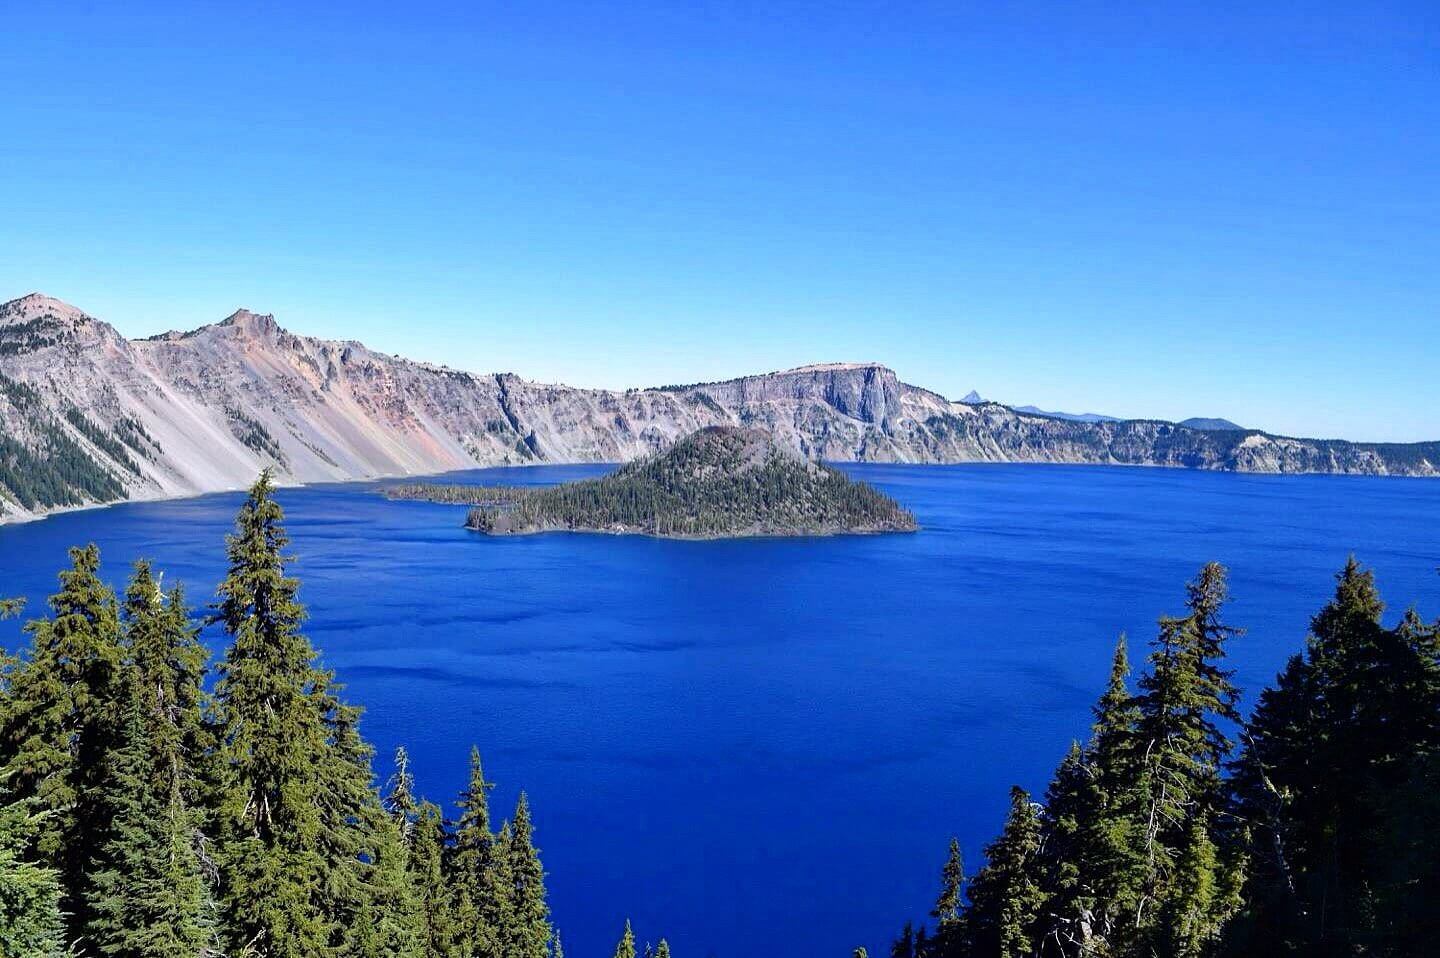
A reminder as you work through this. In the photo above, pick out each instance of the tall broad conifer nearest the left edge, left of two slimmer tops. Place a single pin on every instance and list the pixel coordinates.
(60, 724)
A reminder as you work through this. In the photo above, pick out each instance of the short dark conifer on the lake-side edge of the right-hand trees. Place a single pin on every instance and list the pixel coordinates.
(1006, 895)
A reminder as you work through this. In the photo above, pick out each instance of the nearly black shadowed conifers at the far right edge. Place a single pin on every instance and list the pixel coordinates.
(1334, 783)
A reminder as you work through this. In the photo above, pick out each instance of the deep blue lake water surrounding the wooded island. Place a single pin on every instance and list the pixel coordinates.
(762, 747)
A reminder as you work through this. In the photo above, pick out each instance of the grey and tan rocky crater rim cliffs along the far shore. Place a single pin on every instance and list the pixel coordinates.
(87, 416)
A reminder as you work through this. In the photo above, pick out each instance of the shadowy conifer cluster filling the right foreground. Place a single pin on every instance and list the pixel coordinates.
(1180, 832)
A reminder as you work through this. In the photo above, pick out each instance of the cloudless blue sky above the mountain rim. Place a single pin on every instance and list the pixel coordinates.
(1141, 210)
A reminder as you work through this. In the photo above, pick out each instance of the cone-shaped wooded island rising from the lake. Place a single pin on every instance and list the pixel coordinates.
(718, 482)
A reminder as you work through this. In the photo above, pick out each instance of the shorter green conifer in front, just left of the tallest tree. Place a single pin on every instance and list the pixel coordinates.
(149, 894)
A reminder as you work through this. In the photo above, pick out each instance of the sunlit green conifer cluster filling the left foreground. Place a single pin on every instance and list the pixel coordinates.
(155, 806)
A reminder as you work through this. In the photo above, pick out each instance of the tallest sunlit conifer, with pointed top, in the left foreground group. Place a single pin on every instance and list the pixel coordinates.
(286, 848)
